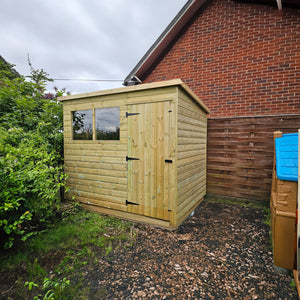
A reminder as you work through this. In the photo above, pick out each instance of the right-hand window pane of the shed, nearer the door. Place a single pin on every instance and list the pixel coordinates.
(108, 123)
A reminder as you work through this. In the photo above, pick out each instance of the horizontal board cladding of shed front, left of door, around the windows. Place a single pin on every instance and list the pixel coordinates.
(97, 169)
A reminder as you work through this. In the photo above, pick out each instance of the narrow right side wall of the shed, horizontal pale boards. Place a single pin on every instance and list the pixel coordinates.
(191, 155)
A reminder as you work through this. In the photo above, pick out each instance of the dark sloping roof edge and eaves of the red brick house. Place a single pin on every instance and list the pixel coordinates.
(174, 28)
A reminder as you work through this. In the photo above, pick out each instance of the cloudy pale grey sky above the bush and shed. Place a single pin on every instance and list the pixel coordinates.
(82, 39)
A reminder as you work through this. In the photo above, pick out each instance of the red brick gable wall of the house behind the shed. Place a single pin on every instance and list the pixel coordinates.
(240, 59)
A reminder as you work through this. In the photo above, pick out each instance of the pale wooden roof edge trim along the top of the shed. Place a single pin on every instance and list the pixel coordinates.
(154, 85)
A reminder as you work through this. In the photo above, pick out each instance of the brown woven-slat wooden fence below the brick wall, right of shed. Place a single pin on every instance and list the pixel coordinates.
(240, 155)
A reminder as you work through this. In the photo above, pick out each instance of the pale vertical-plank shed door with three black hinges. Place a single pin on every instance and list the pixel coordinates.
(149, 159)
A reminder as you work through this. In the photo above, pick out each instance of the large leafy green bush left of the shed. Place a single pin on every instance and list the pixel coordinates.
(31, 155)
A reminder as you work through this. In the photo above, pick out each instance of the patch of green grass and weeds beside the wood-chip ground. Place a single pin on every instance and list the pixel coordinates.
(51, 264)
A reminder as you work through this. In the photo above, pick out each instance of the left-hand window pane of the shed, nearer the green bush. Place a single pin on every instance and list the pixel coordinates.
(83, 125)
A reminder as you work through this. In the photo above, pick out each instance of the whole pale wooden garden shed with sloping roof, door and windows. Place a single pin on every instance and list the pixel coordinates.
(137, 152)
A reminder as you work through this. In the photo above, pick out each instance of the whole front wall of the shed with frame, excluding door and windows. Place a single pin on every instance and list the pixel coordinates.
(98, 170)
